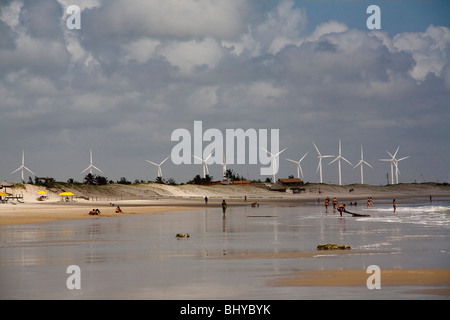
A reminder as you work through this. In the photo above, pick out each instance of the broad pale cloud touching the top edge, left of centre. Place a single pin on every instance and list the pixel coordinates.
(173, 18)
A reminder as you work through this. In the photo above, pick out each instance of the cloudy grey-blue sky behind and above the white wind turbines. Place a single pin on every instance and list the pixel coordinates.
(136, 71)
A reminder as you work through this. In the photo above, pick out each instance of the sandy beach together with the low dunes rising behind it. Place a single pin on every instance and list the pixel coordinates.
(157, 198)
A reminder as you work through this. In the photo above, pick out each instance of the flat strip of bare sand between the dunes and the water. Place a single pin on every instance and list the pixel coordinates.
(41, 212)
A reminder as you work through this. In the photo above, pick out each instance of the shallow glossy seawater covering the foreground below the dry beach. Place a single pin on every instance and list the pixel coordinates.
(139, 257)
